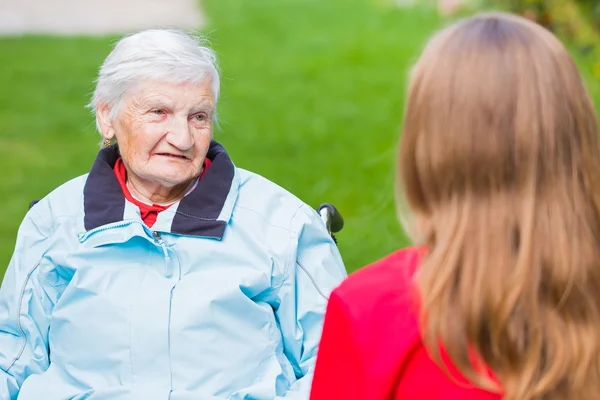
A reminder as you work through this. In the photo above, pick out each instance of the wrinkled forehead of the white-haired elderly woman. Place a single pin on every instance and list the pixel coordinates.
(187, 94)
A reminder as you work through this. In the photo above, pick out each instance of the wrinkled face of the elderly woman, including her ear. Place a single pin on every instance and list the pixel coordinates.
(163, 131)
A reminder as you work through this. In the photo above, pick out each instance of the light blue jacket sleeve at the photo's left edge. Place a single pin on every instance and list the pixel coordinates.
(24, 309)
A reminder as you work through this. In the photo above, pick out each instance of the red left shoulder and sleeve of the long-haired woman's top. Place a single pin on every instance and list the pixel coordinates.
(370, 330)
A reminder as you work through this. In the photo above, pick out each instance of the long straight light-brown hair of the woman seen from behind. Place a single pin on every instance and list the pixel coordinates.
(500, 166)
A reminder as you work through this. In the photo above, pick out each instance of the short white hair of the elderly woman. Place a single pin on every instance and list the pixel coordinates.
(167, 55)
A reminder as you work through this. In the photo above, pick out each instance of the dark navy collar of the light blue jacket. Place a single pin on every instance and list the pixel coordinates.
(203, 212)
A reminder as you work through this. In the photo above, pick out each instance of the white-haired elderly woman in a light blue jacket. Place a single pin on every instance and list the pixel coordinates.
(165, 272)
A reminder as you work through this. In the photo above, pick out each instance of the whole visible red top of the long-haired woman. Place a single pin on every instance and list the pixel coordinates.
(371, 348)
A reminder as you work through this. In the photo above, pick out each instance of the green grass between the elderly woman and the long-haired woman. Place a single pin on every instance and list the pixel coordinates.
(312, 99)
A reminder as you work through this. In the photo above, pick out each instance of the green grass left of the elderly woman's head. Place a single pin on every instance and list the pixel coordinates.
(46, 135)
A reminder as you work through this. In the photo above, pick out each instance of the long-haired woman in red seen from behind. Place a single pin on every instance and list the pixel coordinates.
(500, 299)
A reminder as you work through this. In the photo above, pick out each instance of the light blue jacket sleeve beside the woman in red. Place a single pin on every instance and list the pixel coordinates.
(315, 268)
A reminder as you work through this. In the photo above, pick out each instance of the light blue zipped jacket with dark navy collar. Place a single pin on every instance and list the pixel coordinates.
(222, 299)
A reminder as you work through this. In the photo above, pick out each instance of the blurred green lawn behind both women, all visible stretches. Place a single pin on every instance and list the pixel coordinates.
(312, 98)
